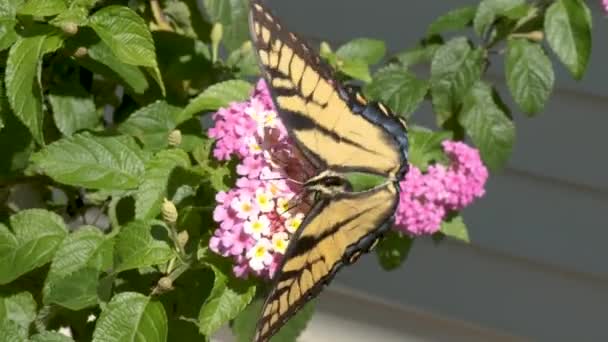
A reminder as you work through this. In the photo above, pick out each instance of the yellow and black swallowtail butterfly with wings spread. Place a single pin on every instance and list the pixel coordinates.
(358, 150)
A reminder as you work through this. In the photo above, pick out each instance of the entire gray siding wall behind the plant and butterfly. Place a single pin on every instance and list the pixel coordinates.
(537, 267)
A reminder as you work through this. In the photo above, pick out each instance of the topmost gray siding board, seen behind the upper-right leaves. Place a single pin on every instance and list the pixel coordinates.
(401, 24)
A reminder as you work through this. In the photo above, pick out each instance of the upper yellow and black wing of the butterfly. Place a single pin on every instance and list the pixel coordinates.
(319, 113)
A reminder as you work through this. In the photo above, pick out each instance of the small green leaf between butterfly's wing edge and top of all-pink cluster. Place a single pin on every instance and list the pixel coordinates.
(425, 147)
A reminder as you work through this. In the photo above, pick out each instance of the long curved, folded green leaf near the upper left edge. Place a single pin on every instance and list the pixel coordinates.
(23, 80)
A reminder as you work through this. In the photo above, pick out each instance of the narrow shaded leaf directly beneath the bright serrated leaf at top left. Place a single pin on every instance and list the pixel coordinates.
(102, 60)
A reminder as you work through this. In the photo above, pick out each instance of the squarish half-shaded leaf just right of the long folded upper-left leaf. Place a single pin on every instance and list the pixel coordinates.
(73, 108)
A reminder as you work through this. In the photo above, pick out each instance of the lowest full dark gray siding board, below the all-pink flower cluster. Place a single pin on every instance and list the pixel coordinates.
(485, 289)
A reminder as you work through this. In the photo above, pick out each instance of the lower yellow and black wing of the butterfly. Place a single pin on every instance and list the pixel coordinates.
(334, 233)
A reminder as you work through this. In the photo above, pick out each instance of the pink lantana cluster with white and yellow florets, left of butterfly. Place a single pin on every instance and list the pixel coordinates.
(257, 217)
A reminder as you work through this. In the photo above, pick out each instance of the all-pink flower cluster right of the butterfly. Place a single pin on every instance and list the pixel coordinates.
(426, 198)
